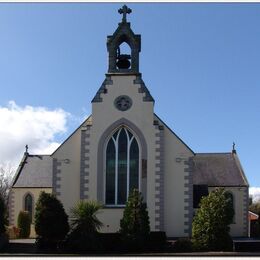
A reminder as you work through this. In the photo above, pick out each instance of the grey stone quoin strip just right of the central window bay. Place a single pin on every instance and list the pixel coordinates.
(159, 177)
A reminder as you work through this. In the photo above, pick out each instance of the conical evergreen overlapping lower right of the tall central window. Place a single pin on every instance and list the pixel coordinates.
(135, 224)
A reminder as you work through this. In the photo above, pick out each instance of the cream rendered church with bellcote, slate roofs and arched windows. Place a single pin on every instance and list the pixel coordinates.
(123, 145)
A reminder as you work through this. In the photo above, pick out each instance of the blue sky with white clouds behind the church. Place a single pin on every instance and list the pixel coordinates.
(200, 62)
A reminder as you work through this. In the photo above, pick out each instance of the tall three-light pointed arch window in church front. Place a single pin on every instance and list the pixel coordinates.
(122, 166)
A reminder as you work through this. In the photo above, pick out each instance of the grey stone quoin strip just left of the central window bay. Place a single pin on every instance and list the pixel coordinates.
(84, 163)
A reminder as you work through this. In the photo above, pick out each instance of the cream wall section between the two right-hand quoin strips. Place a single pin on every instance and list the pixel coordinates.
(174, 185)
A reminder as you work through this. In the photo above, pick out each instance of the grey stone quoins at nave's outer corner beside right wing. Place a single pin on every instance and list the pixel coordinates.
(188, 201)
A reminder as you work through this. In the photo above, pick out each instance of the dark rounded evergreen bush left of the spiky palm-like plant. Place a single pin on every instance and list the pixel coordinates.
(51, 221)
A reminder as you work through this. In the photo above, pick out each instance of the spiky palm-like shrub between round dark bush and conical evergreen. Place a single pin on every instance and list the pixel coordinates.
(85, 226)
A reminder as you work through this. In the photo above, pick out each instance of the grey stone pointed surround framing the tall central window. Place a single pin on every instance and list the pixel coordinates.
(100, 154)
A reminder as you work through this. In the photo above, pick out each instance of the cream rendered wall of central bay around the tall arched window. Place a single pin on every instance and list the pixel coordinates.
(140, 114)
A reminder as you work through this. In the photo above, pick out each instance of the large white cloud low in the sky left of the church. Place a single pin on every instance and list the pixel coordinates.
(35, 126)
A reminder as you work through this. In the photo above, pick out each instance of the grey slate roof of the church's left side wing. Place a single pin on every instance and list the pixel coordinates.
(34, 171)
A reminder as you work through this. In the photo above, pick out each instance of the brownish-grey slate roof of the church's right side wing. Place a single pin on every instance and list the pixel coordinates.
(218, 169)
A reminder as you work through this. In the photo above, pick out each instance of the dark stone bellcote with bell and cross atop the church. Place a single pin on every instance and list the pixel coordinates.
(120, 62)
